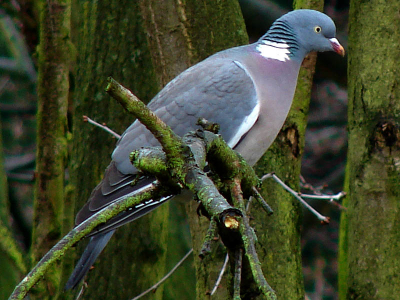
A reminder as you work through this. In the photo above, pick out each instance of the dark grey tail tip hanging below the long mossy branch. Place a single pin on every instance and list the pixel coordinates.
(92, 251)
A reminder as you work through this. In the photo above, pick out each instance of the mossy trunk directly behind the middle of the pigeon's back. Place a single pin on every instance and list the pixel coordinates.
(194, 31)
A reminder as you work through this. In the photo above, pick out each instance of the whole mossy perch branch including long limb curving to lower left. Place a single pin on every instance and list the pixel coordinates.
(188, 156)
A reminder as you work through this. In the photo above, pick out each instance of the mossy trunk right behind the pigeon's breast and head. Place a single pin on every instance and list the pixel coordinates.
(279, 235)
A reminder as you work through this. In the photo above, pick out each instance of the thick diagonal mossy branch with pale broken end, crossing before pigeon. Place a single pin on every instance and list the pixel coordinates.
(185, 158)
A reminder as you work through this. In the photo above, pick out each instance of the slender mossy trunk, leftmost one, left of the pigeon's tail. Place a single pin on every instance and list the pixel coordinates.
(53, 89)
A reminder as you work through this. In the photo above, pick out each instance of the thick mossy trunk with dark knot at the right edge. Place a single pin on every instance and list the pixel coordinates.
(369, 235)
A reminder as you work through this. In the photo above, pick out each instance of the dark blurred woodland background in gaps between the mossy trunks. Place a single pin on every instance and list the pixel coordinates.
(323, 161)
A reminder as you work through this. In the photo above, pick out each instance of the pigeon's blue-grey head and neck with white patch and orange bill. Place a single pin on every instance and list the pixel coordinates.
(299, 32)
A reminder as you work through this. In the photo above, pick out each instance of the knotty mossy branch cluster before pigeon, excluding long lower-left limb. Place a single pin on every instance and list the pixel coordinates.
(183, 163)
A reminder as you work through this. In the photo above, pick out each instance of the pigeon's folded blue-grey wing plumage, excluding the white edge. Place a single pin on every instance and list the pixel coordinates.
(219, 90)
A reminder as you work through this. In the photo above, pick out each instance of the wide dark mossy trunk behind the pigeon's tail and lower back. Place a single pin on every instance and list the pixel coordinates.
(111, 41)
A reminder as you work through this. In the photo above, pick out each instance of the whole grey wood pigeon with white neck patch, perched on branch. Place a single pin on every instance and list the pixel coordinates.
(247, 90)
